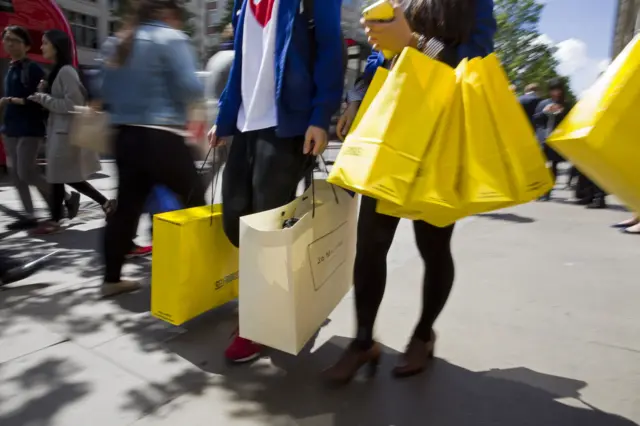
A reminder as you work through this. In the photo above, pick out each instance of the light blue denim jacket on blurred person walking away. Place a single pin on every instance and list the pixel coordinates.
(157, 83)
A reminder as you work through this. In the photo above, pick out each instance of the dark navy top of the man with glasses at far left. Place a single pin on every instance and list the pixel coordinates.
(29, 119)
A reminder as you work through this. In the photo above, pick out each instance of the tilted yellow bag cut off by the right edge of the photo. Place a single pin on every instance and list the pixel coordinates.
(600, 134)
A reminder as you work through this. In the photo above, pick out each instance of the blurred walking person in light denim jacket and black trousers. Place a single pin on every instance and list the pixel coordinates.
(149, 82)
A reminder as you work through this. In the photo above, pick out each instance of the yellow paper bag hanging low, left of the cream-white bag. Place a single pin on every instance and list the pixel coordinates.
(194, 266)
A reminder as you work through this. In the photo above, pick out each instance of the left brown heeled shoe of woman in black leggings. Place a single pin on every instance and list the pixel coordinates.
(352, 360)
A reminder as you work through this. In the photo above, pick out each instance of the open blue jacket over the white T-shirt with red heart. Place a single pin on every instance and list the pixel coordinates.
(306, 94)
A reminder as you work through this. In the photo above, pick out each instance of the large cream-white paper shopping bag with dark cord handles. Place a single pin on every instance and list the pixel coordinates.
(291, 279)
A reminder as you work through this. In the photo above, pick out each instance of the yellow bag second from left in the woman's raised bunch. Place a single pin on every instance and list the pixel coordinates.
(434, 195)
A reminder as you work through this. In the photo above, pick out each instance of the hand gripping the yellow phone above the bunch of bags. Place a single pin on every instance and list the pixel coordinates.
(393, 36)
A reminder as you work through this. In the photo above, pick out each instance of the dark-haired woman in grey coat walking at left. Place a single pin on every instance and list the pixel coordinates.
(66, 163)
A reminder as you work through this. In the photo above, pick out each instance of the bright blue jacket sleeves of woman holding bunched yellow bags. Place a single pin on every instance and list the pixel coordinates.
(480, 43)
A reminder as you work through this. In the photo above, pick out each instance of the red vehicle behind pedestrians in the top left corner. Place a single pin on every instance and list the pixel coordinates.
(37, 16)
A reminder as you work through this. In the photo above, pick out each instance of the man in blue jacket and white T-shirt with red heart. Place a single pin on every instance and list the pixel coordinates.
(285, 84)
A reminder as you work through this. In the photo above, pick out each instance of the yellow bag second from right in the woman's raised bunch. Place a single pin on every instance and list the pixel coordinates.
(486, 184)
